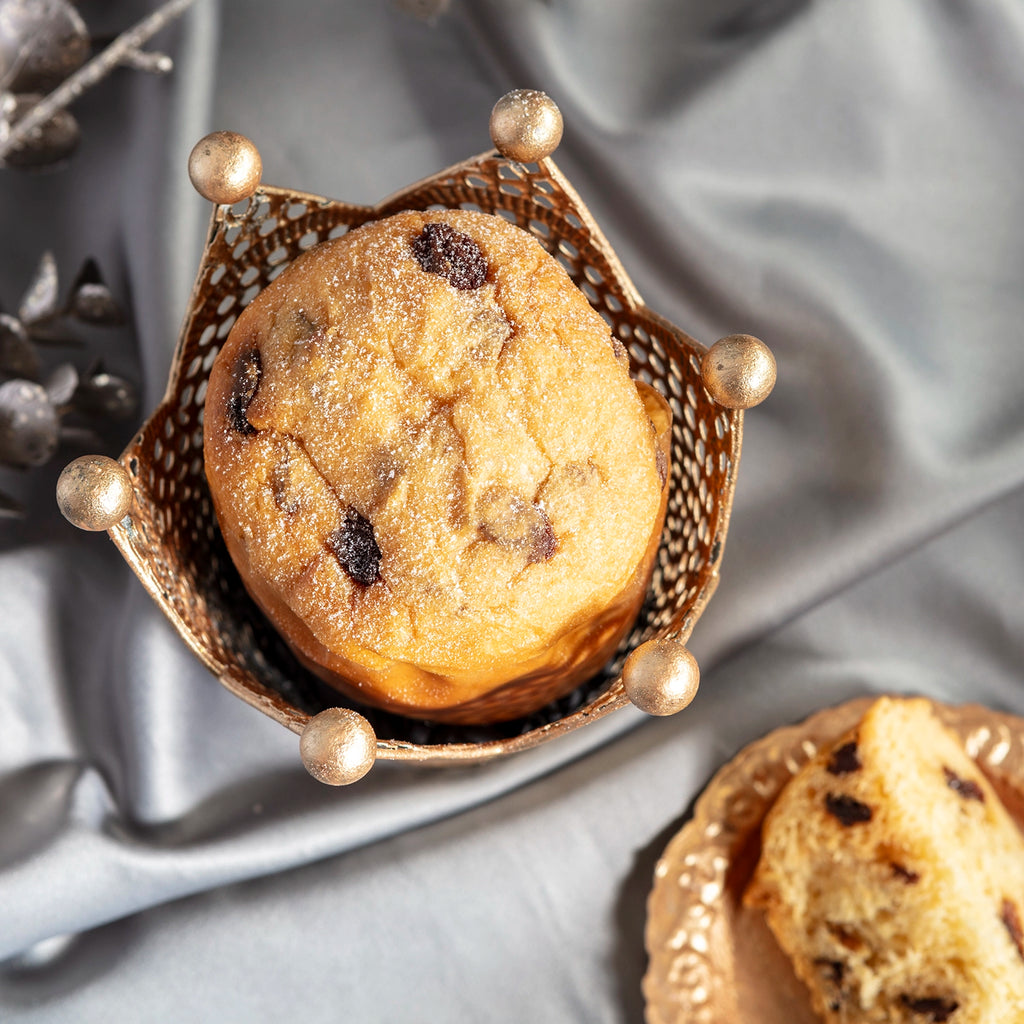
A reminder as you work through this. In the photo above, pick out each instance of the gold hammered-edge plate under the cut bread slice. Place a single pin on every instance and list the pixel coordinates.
(711, 961)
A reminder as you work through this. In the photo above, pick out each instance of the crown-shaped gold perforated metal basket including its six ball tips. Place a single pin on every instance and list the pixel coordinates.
(163, 523)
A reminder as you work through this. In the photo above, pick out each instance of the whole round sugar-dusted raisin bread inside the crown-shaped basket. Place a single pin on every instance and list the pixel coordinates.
(432, 467)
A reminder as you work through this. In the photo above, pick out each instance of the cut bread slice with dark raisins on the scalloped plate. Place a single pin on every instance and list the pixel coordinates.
(893, 878)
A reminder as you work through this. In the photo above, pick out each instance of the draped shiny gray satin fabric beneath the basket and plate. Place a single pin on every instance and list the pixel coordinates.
(841, 180)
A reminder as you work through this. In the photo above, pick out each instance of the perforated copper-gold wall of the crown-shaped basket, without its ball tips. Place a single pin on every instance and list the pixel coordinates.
(172, 540)
